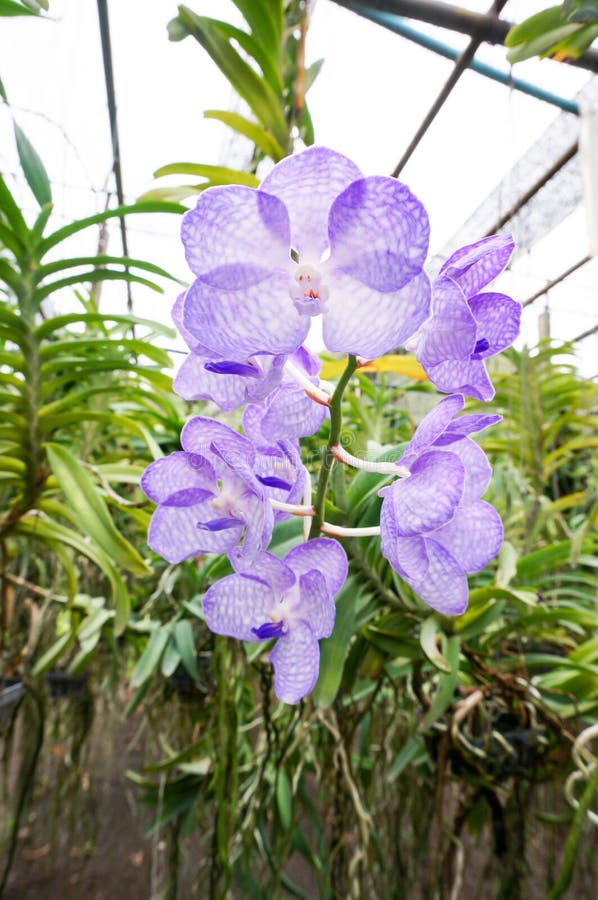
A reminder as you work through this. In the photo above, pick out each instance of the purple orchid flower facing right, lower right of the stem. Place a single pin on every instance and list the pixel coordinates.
(435, 529)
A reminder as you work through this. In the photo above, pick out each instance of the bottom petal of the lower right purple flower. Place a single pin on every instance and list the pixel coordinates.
(444, 586)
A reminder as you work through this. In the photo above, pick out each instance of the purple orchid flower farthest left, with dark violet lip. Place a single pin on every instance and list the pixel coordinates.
(208, 496)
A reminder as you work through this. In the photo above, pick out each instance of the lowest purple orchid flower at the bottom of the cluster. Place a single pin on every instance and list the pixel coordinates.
(291, 600)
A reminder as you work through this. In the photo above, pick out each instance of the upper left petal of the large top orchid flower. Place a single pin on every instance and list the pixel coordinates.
(234, 225)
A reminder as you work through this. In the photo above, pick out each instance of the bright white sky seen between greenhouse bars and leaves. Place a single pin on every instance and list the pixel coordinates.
(373, 91)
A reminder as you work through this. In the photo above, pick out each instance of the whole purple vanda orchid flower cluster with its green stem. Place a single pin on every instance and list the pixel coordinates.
(318, 239)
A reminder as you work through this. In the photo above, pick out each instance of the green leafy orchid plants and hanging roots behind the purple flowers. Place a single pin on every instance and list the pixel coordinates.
(431, 747)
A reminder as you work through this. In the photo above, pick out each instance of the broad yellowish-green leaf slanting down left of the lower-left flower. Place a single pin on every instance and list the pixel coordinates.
(91, 511)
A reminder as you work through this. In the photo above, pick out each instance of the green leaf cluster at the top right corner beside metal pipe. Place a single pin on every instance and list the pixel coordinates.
(563, 32)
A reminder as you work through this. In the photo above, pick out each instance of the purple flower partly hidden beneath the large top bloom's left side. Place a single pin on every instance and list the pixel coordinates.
(205, 375)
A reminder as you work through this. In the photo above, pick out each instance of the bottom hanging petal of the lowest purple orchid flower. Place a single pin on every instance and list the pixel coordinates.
(296, 661)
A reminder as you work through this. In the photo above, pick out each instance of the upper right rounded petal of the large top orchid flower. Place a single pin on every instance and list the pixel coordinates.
(379, 233)
